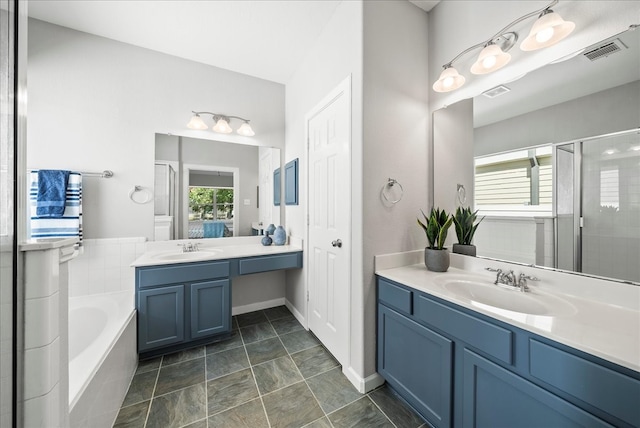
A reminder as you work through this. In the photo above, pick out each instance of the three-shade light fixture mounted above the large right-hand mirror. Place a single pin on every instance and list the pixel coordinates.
(549, 29)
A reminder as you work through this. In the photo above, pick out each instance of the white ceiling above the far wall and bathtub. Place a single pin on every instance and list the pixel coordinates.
(262, 38)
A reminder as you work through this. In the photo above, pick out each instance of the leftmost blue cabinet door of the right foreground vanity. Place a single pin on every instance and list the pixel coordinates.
(417, 362)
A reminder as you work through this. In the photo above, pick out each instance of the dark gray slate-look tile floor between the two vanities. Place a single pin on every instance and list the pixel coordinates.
(271, 373)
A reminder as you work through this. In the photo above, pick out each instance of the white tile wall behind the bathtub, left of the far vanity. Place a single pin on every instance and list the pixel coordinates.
(104, 266)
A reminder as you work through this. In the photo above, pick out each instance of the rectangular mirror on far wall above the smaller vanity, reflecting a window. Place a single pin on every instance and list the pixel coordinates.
(212, 189)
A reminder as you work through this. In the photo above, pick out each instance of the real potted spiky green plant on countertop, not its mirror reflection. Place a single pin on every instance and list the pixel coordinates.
(436, 226)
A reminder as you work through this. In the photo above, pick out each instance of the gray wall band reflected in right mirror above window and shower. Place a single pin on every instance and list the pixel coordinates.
(615, 109)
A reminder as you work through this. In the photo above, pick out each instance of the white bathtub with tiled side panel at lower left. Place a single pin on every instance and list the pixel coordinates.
(102, 356)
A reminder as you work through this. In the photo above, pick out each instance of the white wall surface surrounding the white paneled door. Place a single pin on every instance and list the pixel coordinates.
(336, 55)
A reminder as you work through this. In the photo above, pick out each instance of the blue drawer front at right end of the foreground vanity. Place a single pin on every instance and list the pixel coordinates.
(603, 388)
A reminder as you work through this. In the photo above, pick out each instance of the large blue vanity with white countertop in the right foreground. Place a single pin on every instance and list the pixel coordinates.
(465, 358)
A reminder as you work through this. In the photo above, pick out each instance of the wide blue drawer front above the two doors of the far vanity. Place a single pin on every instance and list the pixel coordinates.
(171, 274)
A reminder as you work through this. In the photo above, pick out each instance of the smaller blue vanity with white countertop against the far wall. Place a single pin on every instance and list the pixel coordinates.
(183, 299)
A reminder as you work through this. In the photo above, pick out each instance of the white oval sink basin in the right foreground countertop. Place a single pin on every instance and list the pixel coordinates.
(485, 294)
